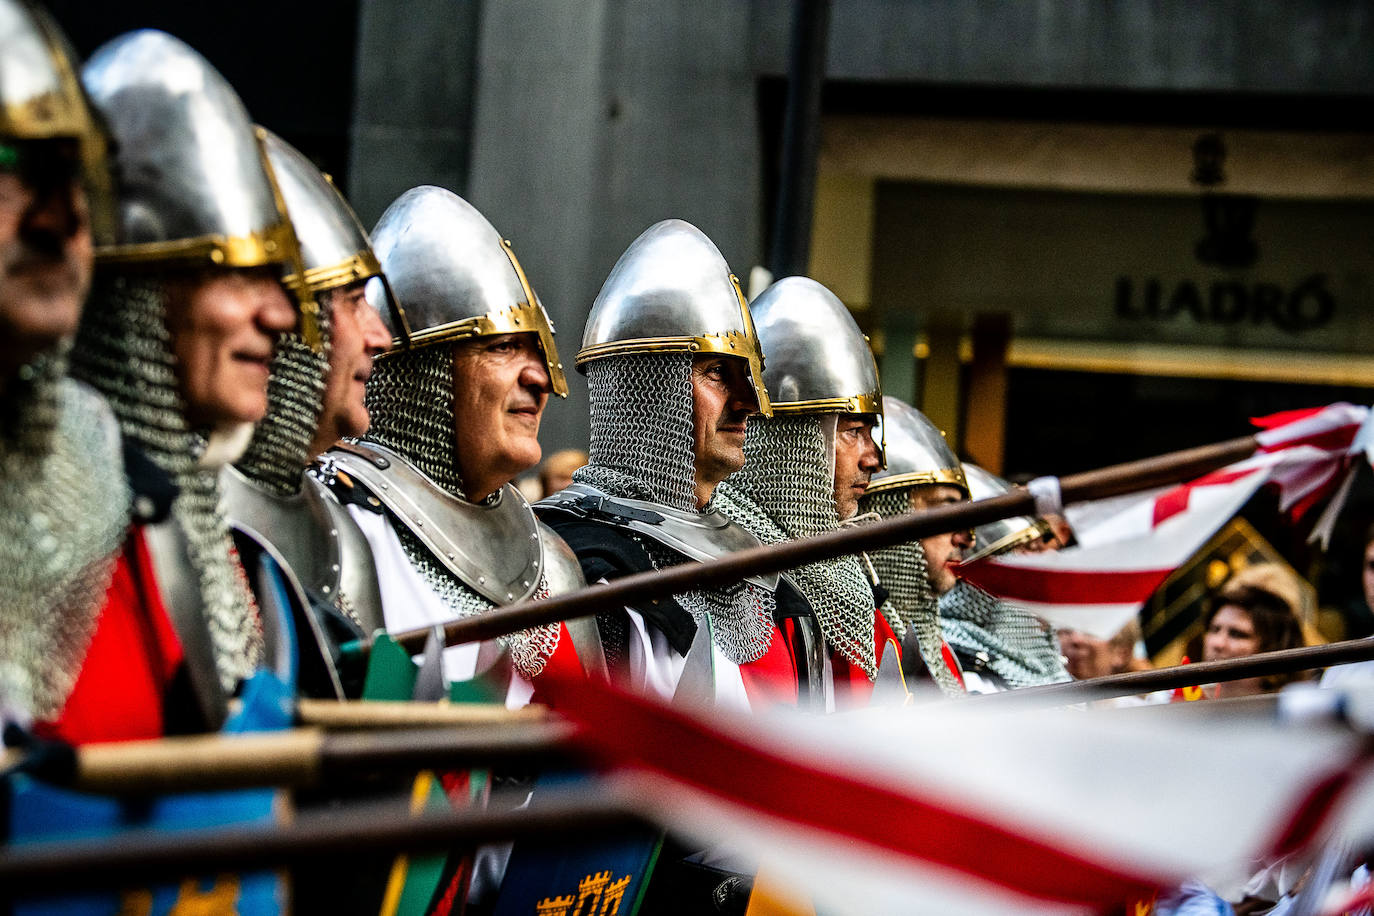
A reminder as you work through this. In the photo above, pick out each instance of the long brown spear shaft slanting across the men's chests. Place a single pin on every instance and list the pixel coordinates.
(776, 558)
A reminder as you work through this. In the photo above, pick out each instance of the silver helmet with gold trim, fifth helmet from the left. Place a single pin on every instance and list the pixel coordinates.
(673, 292)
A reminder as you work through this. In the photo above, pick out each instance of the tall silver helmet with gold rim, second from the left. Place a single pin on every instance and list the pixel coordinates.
(194, 182)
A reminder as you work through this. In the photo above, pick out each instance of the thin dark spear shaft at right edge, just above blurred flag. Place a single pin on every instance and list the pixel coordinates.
(1166, 679)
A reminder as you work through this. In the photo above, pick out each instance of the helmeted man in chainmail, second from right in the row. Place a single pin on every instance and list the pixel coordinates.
(923, 473)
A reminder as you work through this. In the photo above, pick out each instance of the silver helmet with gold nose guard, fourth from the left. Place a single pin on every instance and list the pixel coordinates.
(457, 277)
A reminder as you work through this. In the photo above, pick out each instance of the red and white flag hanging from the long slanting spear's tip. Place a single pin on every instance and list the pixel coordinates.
(1129, 546)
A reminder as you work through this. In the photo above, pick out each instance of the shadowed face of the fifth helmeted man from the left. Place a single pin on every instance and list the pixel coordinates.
(722, 402)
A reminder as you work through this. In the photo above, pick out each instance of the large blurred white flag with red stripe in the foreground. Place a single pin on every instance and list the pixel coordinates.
(951, 810)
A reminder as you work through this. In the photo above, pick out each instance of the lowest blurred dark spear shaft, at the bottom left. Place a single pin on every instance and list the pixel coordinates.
(146, 856)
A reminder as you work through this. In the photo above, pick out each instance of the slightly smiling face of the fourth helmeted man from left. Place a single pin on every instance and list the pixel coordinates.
(501, 388)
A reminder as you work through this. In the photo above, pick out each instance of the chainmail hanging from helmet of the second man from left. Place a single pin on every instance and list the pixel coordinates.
(124, 351)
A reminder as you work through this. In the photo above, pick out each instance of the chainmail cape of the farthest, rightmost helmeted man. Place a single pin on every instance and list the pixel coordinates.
(1020, 650)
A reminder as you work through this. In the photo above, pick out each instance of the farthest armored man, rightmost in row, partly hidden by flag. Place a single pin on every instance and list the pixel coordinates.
(1000, 646)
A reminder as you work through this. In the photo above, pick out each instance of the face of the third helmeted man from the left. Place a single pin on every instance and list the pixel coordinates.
(358, 336)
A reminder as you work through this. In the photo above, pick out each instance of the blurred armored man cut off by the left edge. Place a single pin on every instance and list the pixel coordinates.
(67, 505)
